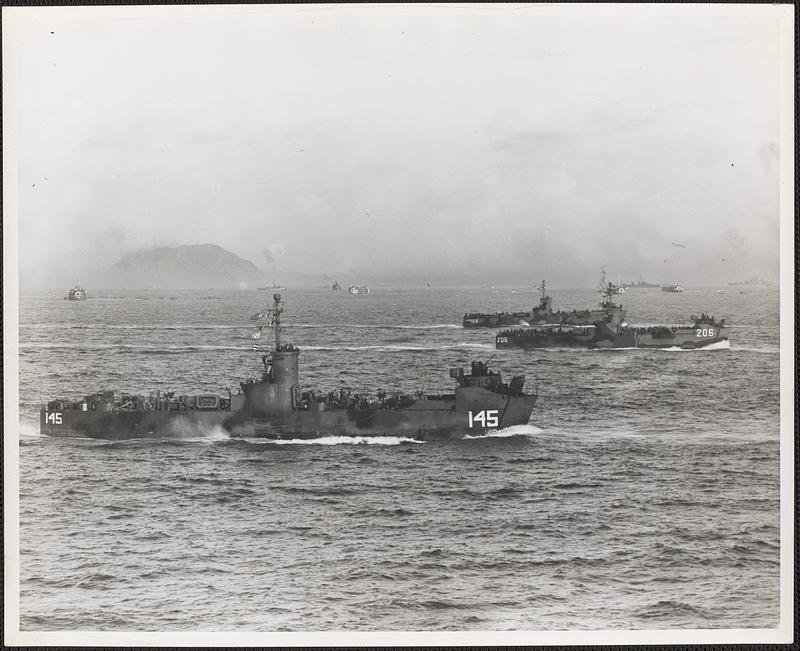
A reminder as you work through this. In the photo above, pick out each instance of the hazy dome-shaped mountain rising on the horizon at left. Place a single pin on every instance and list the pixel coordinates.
(189, 266)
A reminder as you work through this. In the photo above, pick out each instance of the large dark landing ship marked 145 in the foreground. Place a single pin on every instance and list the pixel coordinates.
(277, 406)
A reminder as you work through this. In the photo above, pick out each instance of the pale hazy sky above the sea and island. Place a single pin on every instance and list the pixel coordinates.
(461, 146)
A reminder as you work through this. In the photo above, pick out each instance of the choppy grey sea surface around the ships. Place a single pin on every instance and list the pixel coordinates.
(644, 493)
